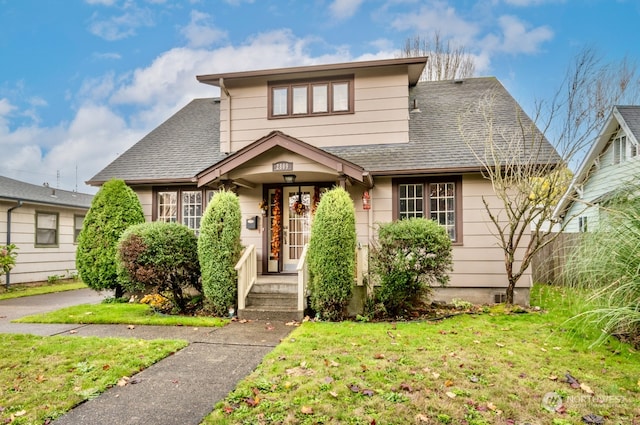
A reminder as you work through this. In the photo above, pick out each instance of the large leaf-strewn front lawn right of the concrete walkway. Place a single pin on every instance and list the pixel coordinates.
(483, 369)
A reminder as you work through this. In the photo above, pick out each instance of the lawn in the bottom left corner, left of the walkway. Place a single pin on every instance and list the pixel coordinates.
(43, 377)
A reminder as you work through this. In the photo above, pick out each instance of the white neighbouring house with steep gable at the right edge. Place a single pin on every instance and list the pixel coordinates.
(612, 163)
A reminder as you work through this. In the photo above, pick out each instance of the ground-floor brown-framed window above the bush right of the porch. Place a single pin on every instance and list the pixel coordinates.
(436, 199)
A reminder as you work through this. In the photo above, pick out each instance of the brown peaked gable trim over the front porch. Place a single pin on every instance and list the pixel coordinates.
(279, 139)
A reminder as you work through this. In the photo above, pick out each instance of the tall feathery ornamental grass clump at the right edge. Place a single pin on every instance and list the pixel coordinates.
(605, 268)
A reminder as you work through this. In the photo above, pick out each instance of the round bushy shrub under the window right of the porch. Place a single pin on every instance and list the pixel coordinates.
(408, 258)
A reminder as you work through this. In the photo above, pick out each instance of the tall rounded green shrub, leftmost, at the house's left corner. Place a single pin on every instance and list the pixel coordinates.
(114, 208)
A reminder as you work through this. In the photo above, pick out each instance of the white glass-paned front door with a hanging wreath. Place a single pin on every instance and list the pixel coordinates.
(296, 224)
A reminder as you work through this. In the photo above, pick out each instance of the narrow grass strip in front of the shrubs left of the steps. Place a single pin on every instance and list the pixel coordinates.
(119, 313)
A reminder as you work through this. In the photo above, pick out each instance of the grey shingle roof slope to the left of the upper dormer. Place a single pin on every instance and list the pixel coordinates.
(176, 150)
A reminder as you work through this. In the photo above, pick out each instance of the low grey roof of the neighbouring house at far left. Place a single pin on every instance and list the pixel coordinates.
(16, 190)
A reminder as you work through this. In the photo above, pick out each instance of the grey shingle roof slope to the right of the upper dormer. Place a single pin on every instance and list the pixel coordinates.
(435, 142)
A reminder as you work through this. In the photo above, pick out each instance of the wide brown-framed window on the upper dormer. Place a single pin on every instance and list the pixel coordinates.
(303, 98)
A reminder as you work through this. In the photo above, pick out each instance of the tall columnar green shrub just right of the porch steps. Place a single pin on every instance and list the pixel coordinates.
(332, 255)
